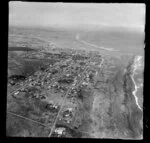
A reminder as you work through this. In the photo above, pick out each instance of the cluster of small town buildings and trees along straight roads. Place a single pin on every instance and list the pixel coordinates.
(58, 85)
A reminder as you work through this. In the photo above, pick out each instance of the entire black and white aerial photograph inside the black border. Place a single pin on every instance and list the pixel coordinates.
(75, 70)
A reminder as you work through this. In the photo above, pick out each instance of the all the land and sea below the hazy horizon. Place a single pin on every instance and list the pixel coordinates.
(74, 84)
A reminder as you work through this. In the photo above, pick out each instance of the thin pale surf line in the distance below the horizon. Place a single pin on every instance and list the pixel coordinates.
(84, 42)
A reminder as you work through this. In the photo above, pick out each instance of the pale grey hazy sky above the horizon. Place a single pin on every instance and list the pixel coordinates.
(77, 15)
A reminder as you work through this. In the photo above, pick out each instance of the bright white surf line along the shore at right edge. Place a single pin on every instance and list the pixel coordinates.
(136, 66)
